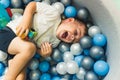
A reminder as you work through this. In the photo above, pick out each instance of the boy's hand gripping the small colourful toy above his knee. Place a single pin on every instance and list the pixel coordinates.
(22, 30)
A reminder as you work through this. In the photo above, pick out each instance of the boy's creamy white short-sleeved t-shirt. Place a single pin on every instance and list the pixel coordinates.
(45, 22)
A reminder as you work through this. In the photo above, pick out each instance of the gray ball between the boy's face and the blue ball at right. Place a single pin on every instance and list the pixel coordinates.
(86, 42)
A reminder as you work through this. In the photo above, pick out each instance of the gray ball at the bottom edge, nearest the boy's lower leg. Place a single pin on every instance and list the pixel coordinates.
(34, 75)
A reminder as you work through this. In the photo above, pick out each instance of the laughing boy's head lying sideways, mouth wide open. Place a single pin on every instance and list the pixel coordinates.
(70, 30)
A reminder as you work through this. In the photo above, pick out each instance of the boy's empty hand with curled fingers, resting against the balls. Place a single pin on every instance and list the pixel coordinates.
(46, 49)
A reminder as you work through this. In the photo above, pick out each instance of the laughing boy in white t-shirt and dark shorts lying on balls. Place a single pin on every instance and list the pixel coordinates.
(45, 20)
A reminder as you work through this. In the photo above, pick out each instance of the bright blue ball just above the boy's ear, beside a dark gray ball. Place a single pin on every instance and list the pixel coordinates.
(70, 11)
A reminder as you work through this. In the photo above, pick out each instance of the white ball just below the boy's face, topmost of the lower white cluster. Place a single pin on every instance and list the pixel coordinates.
(76, 49)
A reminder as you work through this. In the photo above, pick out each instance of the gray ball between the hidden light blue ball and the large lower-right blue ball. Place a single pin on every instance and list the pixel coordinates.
(87, 62)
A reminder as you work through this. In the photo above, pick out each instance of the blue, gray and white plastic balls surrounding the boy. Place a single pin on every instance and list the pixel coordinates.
(85, 60)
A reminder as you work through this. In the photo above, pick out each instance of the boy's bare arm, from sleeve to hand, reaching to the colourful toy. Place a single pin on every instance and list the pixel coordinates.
(24, 26)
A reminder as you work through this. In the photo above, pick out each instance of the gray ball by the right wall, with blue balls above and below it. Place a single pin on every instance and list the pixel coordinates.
(96, 52)
